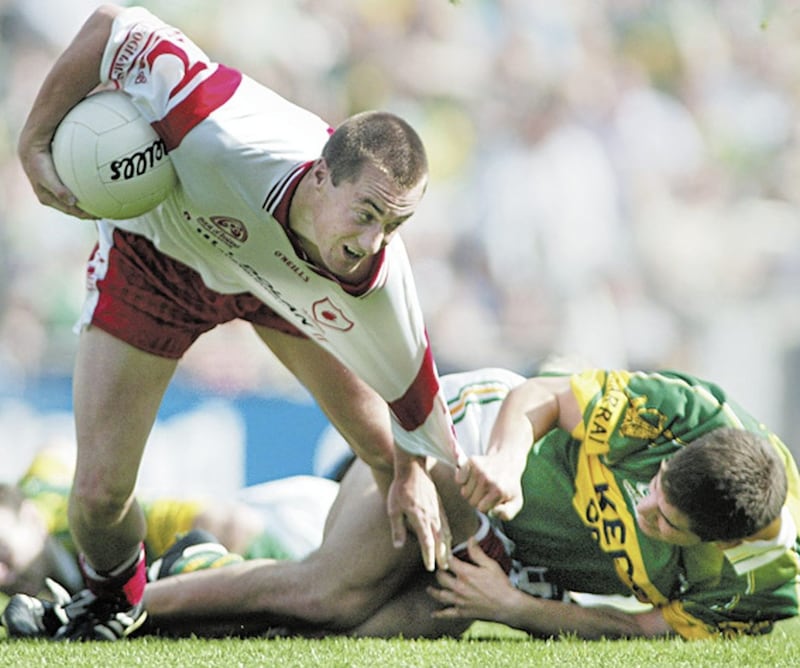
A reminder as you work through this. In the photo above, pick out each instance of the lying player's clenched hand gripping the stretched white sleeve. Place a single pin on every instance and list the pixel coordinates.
(491, 484)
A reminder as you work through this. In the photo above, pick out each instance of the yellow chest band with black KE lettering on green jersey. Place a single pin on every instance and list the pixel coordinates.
(601, 506)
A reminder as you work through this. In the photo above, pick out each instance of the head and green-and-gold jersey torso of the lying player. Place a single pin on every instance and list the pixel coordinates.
(609, 511)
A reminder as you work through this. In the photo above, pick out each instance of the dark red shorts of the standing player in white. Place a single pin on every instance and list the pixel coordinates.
(160, 305)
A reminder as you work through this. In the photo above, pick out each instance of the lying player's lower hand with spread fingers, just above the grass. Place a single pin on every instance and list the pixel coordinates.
(479, 590)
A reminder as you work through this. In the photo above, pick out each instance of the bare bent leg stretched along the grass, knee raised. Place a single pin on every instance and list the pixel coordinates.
(354, 572)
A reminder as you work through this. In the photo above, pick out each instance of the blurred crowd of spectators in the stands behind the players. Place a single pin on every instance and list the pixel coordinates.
(614, 180)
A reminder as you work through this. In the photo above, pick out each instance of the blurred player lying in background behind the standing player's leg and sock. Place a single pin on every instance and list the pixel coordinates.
(281, 519)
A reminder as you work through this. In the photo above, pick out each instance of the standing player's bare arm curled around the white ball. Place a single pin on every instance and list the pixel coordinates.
(73, 76)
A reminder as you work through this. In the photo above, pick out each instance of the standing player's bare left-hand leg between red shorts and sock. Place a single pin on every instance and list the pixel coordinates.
(117, 393)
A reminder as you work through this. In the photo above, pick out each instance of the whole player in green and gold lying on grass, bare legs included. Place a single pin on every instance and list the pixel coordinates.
(654, 485)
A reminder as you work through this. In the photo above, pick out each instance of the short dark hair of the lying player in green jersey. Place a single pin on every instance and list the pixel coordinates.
(730, 483)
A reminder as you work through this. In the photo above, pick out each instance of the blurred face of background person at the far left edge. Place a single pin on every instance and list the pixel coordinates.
(22, 541)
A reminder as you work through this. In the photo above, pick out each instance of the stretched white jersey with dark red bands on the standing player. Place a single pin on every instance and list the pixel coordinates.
(239, 150)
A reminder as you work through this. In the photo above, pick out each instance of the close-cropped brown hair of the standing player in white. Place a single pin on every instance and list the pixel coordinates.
(380, 138)
